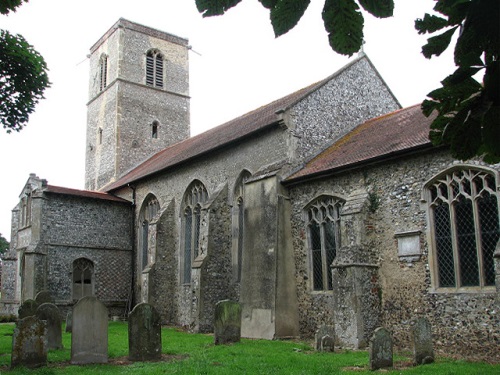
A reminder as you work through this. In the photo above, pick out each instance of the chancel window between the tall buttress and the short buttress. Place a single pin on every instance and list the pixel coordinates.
(323, 229)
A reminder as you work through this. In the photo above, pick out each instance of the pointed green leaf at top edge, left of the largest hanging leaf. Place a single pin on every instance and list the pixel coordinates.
(286, 13)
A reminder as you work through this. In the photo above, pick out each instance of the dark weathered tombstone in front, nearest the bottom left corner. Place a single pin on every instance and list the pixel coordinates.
(29, 343)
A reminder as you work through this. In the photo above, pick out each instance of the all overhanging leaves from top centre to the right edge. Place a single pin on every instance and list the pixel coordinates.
(468, 112)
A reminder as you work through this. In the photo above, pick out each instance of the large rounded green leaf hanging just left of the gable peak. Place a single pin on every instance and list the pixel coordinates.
(344, 24)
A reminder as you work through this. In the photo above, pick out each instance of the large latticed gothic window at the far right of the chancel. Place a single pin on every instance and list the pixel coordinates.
(463, 206)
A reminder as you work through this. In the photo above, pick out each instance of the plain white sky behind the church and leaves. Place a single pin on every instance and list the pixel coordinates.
(241, 67)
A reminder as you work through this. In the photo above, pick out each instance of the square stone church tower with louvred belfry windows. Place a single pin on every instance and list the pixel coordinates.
(138, 99)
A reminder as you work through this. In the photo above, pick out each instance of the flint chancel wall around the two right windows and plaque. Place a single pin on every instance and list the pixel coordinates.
(405, 287)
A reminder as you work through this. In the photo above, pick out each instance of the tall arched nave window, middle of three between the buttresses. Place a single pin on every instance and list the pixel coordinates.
(194, 198)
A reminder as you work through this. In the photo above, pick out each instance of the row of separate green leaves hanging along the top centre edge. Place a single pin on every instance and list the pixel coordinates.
(343, 19)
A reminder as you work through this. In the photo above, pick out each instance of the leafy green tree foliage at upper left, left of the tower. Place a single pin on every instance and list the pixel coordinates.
(23, 75)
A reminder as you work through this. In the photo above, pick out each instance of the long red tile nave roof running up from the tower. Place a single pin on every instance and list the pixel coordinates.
(219, 136)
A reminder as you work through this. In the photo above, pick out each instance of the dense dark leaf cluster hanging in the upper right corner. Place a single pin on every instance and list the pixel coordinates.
(468, 117)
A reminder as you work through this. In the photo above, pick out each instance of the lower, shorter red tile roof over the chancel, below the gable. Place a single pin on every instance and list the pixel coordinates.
(382, 137)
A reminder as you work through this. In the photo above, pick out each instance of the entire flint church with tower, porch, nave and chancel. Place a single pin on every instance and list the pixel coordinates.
(328, 206)
